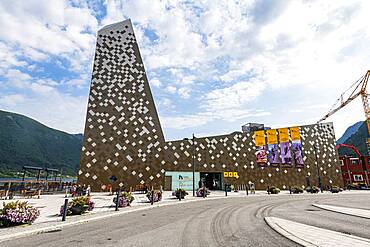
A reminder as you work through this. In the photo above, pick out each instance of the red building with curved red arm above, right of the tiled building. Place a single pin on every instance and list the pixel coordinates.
(355, 170)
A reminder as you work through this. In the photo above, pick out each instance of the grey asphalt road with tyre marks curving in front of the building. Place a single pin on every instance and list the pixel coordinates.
(222, 222)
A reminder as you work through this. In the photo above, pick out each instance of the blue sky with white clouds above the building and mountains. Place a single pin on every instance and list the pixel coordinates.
(212, 65)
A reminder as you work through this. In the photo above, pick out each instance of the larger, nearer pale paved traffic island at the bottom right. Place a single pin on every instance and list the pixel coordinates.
(307, 235)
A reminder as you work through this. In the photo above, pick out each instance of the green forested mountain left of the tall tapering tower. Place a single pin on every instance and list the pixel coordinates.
(24, 141)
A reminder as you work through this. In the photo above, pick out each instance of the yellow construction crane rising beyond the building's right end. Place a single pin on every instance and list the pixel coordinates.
(357, 89)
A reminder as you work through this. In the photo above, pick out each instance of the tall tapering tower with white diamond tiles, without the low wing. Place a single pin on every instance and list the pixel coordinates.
(123, 136)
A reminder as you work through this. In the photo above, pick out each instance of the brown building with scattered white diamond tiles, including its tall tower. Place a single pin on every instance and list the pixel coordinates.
(123, 137)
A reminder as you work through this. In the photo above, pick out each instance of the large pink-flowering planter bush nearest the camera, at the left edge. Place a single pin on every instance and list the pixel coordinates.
(17, 213)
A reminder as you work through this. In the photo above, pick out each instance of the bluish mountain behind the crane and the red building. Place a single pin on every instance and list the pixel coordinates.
(357, 139)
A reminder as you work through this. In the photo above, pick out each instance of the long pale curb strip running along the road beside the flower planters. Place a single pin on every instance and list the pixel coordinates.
(59, 226)
